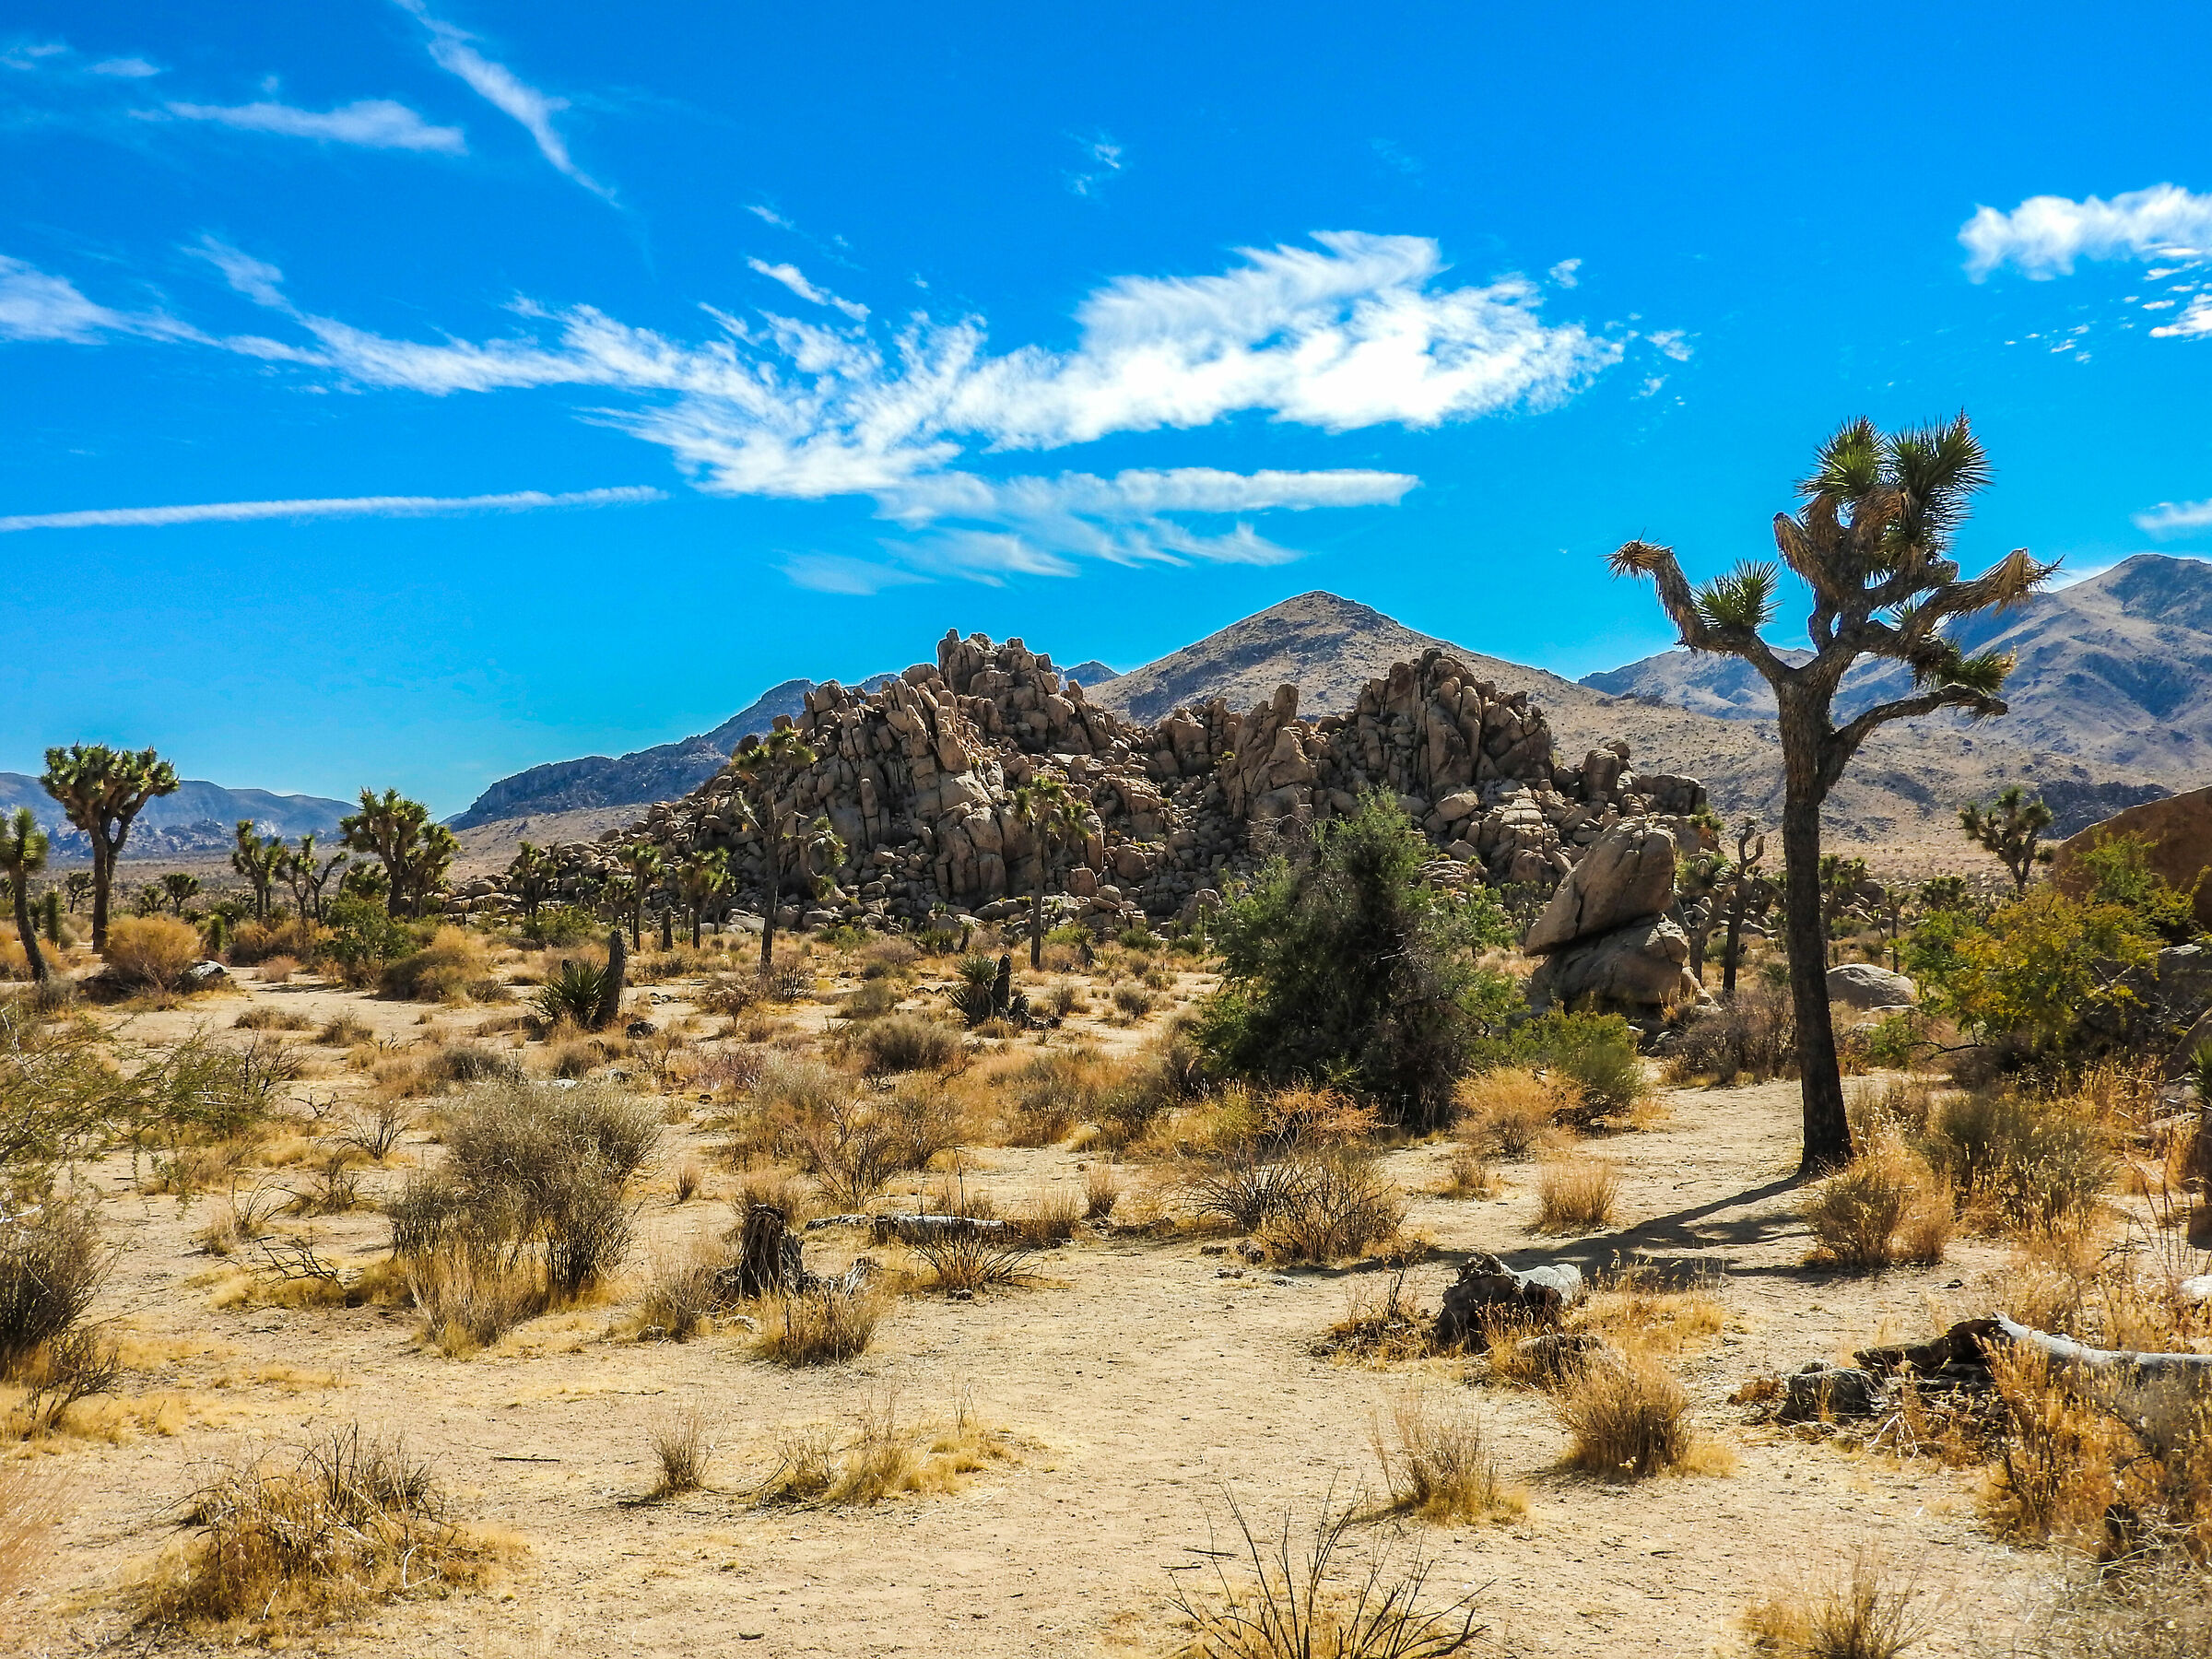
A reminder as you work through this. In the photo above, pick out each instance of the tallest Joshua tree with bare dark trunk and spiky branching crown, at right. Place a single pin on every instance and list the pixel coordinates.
(1872, 543)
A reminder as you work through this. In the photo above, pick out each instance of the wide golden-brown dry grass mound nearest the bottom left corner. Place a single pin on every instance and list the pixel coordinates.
(284, 1543)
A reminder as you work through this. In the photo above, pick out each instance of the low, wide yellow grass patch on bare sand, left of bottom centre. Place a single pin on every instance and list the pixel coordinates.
(879, 1457)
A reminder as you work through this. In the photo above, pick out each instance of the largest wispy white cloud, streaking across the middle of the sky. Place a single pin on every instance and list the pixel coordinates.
(1355, 333)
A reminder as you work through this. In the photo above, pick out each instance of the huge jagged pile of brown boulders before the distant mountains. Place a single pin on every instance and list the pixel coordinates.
(917, 782)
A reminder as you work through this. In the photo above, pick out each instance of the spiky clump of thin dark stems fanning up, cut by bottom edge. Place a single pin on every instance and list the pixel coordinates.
(1275, 1596)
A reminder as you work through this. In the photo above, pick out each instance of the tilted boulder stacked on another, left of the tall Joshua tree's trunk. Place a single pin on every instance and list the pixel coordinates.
(1607, 937)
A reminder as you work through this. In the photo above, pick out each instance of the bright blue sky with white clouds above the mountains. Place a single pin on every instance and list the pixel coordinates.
(408, 393)
